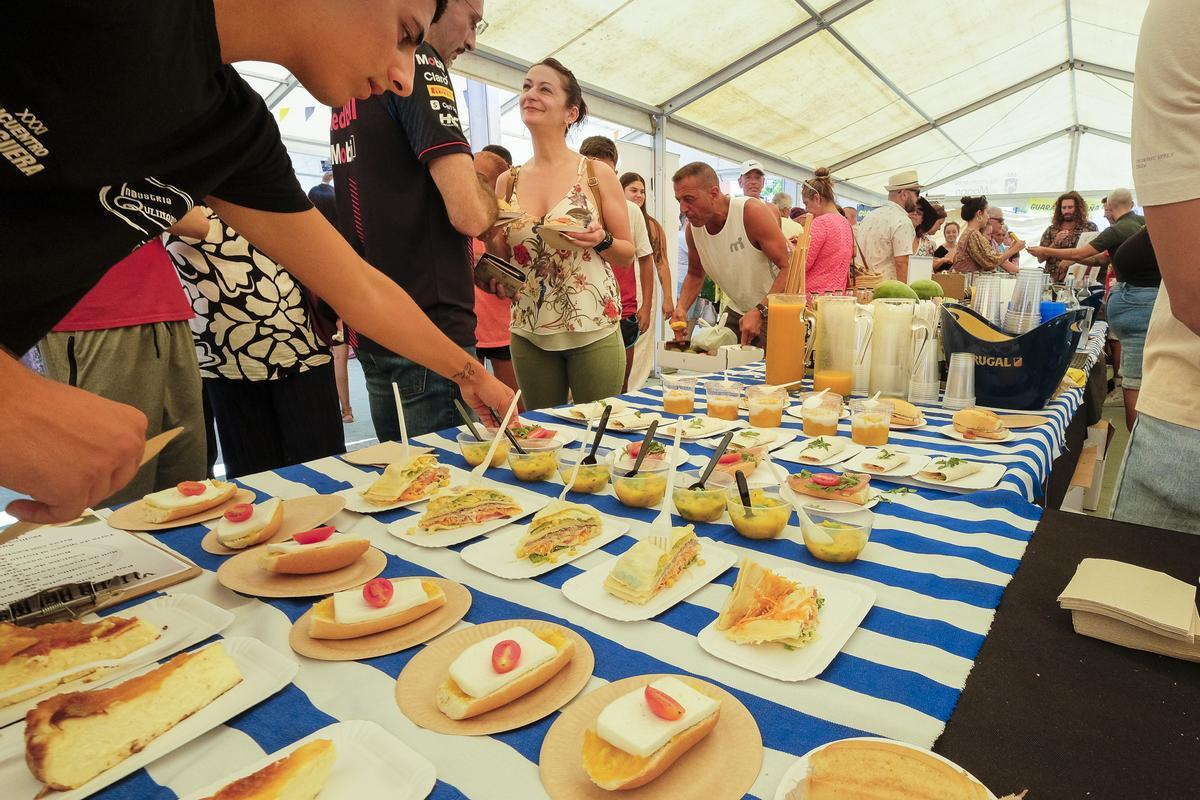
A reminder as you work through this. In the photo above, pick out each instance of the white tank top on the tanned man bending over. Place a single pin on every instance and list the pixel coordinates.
(743, 272)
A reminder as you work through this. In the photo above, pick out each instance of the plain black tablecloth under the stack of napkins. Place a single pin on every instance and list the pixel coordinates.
(1070, 717)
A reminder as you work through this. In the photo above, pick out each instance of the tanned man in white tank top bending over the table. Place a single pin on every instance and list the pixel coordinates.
(736, 242)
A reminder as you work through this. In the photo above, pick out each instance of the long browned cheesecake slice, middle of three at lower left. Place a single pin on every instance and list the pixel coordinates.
(74, 737)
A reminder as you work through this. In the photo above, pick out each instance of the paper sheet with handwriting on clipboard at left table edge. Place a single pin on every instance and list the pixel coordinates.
(51, 557)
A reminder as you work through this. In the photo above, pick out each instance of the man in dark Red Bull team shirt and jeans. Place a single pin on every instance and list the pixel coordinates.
(409, 201)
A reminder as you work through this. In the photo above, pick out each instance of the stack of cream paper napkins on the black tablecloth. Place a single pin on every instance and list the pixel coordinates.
(1135, 607)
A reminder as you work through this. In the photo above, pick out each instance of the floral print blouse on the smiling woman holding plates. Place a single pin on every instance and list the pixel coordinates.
(566, 291)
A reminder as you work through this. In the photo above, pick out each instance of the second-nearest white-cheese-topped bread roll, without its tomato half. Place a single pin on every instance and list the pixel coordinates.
(547, 651)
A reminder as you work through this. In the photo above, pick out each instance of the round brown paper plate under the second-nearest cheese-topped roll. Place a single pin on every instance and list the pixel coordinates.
(418, 684)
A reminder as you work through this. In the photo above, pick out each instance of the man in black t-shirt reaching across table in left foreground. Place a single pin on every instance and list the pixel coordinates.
(91, 172)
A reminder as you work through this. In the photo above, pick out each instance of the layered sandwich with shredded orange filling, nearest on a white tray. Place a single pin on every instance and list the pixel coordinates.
(767, 607)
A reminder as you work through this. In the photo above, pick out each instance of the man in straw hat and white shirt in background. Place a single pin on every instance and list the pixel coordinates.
(885, 237)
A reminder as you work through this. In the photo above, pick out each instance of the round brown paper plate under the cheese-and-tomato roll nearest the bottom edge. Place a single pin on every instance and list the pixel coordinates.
(723, 765)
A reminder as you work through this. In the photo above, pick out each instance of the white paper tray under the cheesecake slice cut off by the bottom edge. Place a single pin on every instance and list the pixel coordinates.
(371, 763)
